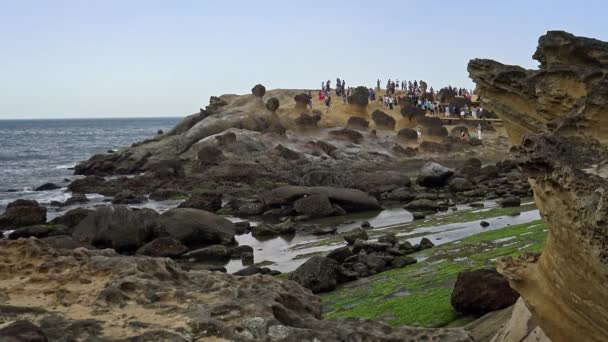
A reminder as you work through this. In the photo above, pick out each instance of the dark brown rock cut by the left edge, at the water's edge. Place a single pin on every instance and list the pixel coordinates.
(21, 213)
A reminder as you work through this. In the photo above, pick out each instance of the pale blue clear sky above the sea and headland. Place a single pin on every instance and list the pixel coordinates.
(129, 58)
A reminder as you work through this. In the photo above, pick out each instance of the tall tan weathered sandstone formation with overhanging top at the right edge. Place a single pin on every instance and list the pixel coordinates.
(559, 116)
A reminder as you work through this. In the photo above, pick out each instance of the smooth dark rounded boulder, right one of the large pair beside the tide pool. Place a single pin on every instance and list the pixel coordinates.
(197, 228)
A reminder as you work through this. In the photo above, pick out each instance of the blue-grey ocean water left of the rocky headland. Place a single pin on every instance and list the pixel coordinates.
(34, 152)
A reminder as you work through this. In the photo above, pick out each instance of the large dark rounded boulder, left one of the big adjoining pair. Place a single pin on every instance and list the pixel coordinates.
(117, 227)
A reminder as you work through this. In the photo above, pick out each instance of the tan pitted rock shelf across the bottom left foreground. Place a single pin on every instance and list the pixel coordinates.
(158, 301)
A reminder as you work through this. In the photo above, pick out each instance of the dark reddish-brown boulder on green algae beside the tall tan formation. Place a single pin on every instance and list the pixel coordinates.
(481, 291)
